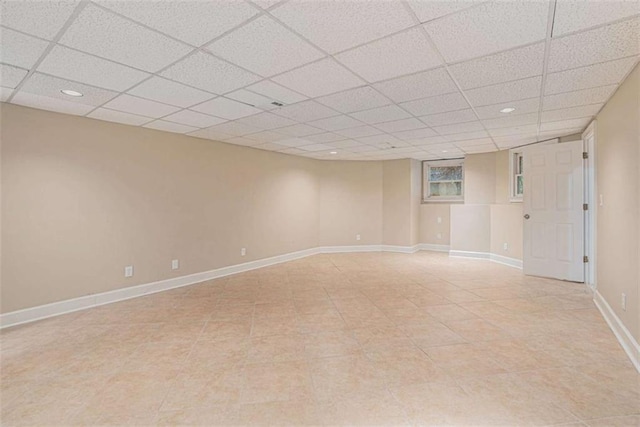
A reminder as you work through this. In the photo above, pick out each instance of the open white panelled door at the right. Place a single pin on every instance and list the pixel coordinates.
(553, 212)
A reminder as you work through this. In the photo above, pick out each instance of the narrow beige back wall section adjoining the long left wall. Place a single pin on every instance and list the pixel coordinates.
(350, 203)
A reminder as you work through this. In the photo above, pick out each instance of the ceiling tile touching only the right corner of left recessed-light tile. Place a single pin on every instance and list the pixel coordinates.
(170, 92)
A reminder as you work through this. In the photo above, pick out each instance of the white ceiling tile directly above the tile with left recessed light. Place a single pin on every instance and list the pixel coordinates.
(70, 64)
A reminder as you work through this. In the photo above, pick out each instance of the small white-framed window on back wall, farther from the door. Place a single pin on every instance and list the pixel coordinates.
(443, 180)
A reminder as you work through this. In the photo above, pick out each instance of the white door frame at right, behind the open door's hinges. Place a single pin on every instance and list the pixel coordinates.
(591, 199)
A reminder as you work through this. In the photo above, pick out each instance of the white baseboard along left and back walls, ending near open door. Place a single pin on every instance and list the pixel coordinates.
(32, 314)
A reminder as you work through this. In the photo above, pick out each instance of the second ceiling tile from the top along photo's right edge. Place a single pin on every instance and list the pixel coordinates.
(599, 45)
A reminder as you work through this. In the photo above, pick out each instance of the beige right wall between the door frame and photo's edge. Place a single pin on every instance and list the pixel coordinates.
(618, 219)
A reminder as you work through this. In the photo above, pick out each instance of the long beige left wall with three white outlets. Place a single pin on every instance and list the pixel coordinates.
(83, 198)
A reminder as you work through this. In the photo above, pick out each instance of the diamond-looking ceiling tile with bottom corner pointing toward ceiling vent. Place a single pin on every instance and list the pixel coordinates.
(264, 47)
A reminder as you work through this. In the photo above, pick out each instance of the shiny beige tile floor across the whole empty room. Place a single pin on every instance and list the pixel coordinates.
(345, 339)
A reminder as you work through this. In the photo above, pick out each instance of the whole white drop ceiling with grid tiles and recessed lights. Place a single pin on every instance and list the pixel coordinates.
(356, 80)
